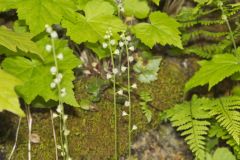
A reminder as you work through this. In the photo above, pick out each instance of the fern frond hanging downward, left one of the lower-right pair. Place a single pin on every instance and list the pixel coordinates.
(191, 120)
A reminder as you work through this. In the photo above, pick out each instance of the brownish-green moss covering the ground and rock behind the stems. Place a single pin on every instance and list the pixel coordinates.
(92, 132)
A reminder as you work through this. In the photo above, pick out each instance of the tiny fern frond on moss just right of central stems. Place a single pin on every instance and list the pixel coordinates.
(145, 99)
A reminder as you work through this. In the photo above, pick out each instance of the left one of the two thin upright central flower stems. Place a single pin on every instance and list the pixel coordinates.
(115, 105)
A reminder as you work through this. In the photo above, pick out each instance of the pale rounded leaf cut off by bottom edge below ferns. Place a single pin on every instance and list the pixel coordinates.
(221, 153)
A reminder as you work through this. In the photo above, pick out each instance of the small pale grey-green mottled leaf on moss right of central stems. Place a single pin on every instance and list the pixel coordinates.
(147, 72)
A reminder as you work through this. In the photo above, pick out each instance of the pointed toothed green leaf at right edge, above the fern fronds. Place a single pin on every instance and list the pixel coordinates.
(214, 71)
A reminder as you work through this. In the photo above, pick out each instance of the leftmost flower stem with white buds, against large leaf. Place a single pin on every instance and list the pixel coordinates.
(63, 126)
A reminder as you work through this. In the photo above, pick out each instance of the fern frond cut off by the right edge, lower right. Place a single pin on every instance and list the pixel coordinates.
(226, 112)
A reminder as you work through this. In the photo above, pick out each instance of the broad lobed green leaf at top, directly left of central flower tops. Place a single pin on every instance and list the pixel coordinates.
(93, 26)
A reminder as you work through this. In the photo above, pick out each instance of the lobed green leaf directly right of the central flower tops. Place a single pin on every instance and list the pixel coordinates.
(162, 29)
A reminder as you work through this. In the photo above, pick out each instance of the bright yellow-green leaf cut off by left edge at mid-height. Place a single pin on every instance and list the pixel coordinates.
(8, 97)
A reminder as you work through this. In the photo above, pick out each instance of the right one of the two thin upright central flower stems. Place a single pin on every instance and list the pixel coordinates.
(130, 106)
